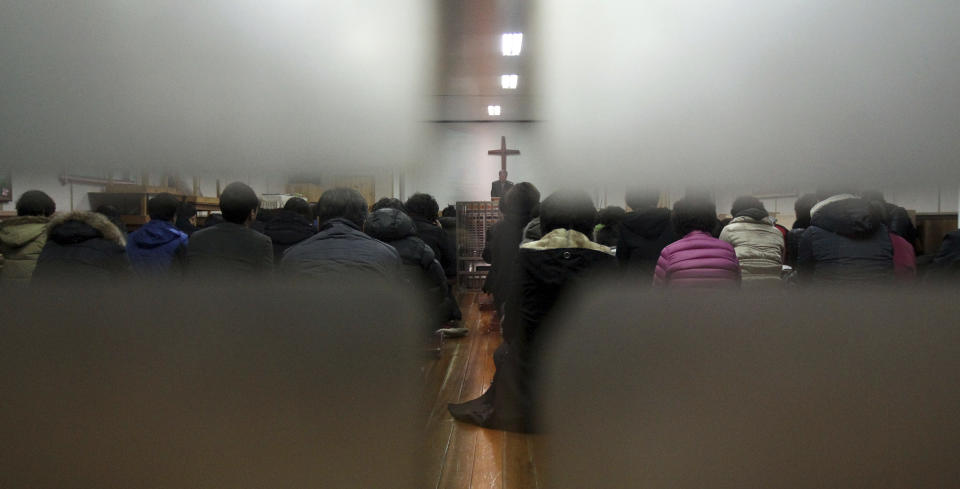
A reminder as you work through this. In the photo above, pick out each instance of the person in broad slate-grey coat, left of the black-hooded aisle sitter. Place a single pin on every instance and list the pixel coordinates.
(341, 247)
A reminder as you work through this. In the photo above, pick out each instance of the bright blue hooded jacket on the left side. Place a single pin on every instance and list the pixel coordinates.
(153, 248)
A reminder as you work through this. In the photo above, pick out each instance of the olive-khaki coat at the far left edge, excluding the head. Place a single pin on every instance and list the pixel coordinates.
(21, 240)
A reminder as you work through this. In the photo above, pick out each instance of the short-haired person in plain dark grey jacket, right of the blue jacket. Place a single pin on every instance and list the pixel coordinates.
(230, 248)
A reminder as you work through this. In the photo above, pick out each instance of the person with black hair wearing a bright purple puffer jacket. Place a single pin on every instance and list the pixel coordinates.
(697, 259)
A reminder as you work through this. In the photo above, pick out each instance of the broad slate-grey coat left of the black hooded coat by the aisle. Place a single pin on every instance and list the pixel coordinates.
(341, 248)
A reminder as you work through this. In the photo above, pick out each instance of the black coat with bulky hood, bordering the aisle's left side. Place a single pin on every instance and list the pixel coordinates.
(420, 268)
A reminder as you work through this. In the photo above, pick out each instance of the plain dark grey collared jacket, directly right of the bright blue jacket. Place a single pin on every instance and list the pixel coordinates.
(229, 250)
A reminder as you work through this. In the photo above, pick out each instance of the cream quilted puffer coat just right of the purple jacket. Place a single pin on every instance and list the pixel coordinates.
(758, 243)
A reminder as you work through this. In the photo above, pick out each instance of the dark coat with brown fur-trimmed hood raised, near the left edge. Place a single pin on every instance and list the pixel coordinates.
(82, 246)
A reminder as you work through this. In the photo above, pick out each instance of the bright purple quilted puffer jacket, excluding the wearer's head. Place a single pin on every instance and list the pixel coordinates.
(698, 260)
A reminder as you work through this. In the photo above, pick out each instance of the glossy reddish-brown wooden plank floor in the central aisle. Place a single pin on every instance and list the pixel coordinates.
(459, 455)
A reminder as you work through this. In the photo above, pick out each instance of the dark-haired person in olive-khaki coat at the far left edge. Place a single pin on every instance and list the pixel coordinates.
(23, 237)
